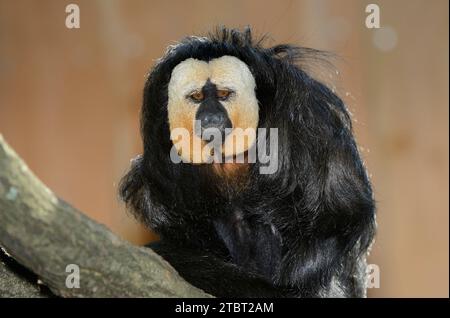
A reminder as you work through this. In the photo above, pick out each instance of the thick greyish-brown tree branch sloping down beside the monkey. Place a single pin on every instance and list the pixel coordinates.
(45, 234)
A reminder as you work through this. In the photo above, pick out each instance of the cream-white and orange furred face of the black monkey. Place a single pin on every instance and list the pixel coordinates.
(224, 85)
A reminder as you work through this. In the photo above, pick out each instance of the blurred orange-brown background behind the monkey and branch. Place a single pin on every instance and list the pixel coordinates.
(70, 99)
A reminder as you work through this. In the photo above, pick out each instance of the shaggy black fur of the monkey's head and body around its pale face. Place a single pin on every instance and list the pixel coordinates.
(303, 231)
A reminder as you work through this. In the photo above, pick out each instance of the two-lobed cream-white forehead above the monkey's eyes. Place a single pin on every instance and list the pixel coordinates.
(225, 71)
